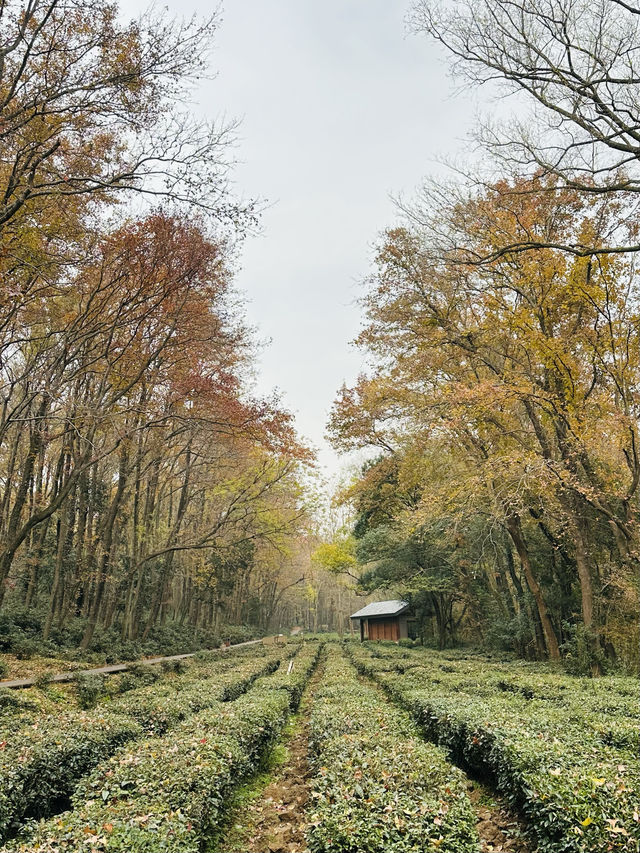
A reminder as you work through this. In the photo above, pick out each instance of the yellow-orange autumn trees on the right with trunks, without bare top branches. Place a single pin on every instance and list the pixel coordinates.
(505, 405)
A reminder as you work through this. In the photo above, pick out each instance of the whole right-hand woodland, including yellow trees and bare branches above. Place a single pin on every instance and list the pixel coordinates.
(502, 327)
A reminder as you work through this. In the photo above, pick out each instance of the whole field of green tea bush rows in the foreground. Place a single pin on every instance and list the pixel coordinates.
(155, 763)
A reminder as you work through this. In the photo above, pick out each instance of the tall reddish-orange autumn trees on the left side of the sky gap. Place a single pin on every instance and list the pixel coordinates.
(141, 480)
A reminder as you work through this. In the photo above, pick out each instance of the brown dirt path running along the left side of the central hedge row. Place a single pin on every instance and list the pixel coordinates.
(269, 813)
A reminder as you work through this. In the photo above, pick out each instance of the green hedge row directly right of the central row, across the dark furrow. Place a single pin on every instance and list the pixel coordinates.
(577, 794)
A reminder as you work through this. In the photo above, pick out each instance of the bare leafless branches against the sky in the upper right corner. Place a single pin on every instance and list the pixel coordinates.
(578, 64)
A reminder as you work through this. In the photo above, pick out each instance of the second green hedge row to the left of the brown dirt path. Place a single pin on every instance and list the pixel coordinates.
(42, 764)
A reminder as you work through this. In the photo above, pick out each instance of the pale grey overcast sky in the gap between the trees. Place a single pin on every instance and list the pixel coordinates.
(339, 109)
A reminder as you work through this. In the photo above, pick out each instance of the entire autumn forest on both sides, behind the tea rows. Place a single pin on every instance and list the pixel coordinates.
(145, 488)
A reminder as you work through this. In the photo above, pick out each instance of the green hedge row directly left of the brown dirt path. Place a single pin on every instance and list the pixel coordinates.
(168, 793)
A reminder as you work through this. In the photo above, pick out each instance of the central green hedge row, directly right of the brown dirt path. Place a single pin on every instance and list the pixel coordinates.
(378, 785)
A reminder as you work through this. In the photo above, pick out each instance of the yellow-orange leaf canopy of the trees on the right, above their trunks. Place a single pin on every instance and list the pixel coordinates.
(503, 369)
